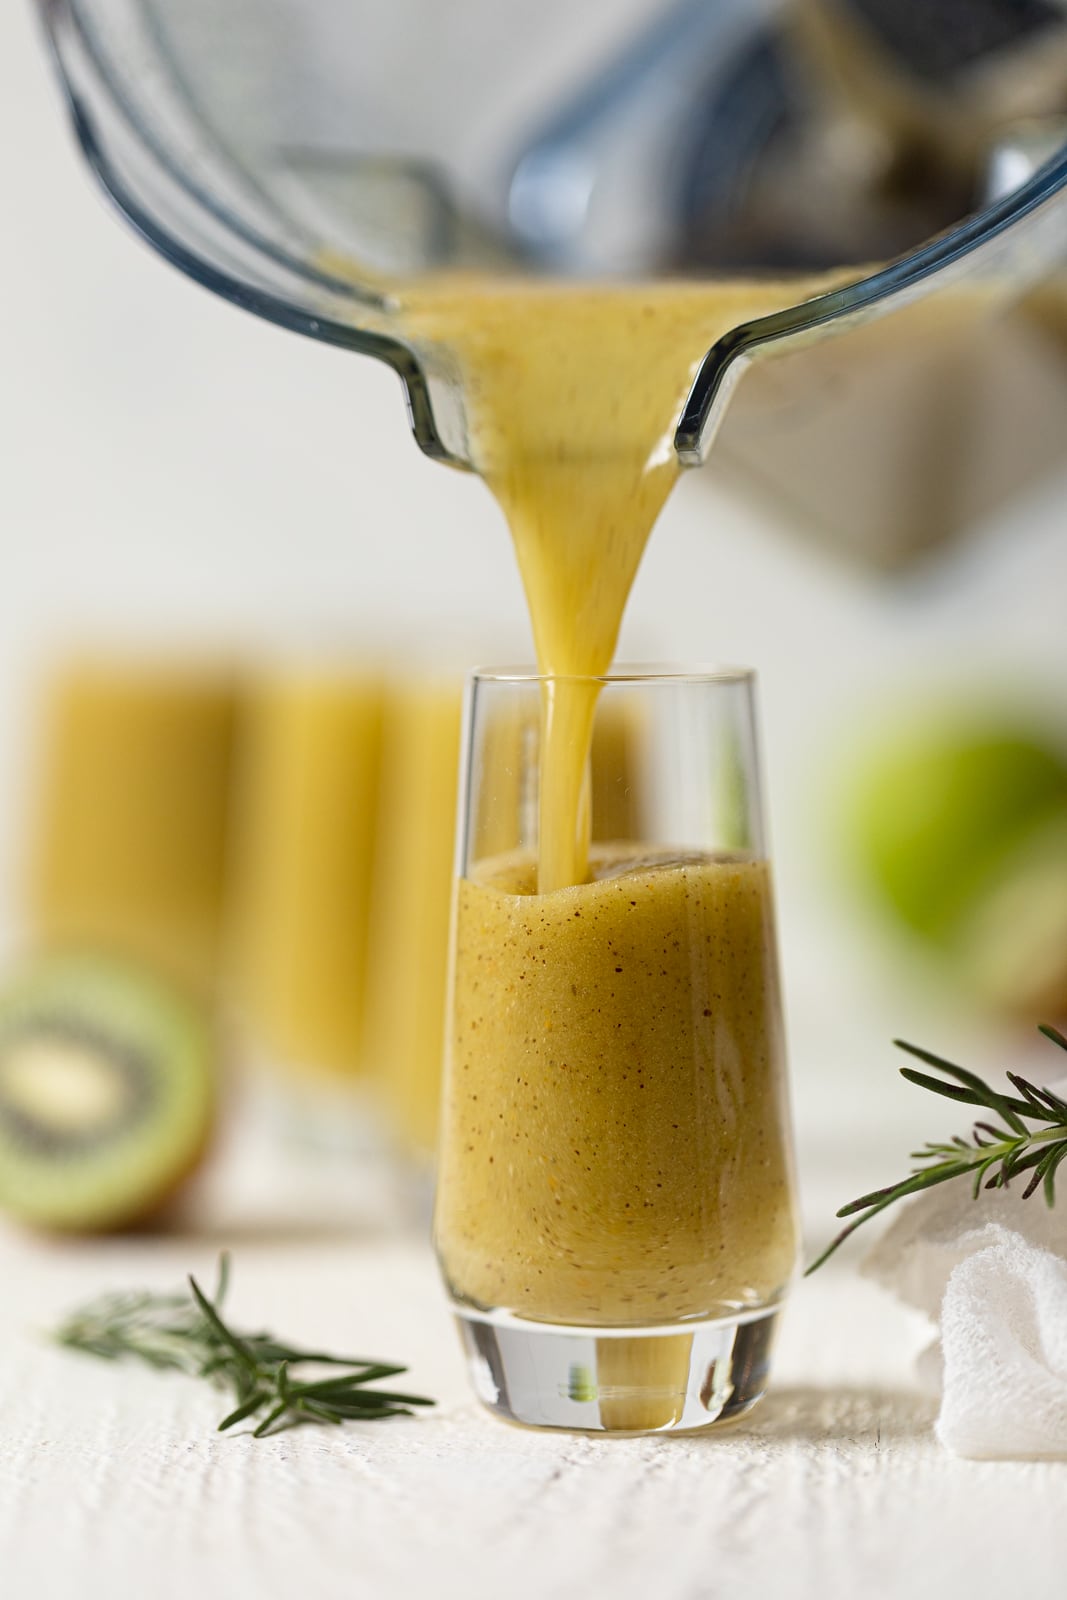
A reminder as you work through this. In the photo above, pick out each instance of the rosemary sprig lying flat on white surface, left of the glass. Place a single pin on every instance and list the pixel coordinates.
(188, 1334)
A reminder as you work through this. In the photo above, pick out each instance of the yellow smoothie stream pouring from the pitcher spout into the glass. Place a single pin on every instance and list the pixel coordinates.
(573, 394)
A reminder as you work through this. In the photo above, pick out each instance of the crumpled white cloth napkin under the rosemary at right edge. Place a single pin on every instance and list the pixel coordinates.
(993, 1273)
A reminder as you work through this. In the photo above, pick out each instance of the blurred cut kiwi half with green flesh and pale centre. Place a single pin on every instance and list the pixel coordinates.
(106, 1092)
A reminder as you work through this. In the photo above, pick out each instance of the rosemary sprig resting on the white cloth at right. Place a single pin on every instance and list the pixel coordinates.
(996, 1153)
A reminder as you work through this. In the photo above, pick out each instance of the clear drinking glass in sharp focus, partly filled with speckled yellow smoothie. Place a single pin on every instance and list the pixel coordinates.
(617, 1214)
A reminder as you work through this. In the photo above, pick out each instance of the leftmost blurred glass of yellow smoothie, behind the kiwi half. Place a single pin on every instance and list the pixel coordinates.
(130, 810)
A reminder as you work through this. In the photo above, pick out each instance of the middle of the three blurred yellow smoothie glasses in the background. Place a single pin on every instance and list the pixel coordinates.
(306, 823)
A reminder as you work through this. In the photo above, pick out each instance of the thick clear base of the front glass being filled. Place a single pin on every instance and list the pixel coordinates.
(618, 1382)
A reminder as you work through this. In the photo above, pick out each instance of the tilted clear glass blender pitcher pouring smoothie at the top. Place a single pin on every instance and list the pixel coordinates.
(258, 143)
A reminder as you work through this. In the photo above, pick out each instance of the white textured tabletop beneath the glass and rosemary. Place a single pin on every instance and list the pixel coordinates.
(114, 1484)
